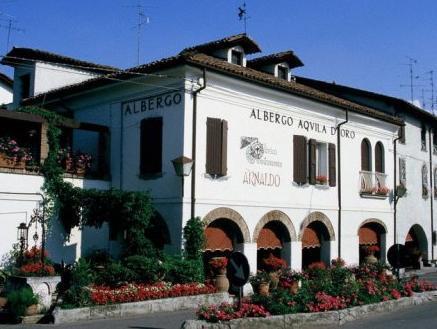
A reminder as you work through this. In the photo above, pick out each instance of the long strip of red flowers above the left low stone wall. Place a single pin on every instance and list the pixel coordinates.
(102, 295)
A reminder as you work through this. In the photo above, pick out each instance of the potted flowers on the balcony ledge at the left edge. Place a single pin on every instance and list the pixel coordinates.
(12, 155)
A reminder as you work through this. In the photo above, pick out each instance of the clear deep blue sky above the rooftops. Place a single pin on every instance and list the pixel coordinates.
(360, 43)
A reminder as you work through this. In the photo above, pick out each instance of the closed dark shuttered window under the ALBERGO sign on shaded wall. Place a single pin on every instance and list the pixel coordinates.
(151, 146)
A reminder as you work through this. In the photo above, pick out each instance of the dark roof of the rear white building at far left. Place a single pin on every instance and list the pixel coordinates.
(20, 55)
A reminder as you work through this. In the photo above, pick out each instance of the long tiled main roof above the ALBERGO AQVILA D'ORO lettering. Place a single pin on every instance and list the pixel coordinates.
(204, 61)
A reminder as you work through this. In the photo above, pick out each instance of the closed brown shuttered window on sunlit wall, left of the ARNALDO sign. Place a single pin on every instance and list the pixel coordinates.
(216, 146)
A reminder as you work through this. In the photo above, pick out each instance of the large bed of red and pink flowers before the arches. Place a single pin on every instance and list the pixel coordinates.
(320, 290)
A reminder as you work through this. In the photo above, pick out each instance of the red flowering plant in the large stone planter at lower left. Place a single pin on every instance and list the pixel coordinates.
(32, 265)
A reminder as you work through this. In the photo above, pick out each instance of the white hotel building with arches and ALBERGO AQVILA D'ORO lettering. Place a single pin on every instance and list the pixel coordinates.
(279, 165)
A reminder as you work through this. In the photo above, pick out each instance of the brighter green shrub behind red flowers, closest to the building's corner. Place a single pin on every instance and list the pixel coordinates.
(183, 270)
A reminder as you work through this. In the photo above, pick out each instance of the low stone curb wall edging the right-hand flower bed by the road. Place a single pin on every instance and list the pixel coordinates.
(302, 320)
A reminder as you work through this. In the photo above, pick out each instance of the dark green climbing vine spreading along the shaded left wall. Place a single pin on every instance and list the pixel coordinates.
(124, 211)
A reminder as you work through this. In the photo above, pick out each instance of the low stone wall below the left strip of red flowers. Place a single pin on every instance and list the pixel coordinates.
(137, 308)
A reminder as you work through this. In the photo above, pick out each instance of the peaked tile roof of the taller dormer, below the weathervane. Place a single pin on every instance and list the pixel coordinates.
(242, 40)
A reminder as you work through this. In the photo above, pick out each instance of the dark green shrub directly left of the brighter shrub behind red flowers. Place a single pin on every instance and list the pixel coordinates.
(144, 269)
